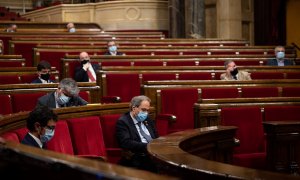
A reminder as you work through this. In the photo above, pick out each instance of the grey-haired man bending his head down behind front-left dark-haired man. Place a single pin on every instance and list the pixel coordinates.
(66, 95)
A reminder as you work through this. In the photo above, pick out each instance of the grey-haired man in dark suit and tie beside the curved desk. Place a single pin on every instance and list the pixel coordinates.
(134, 130)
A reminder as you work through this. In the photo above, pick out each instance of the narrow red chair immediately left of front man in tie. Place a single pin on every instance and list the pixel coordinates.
(108, 123)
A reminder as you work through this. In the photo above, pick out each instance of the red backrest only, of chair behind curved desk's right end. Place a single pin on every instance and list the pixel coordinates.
(250, 129)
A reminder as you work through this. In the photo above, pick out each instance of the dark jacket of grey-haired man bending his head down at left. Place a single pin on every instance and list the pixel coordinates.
(49, 100)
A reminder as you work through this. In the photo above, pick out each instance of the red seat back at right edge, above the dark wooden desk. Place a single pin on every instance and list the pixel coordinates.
(282, 113)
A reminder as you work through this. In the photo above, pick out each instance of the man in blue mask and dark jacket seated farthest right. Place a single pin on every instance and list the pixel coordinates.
(280, 59)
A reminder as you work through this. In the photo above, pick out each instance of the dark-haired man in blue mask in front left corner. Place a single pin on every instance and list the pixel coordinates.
(41, 125)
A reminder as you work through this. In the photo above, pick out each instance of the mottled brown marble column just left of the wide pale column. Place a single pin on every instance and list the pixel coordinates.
(195, 19)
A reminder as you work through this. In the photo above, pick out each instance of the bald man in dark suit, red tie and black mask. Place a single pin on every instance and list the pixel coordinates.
(86, 72)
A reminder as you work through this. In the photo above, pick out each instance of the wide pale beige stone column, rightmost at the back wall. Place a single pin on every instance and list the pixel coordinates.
(229, 19)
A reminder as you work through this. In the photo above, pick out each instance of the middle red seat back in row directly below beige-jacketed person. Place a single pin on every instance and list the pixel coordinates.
(248, 92)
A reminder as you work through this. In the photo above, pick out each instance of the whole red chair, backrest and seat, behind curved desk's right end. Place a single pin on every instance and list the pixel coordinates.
(251, 152)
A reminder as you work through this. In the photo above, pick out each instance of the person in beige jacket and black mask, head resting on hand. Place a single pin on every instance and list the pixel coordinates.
(232, 72)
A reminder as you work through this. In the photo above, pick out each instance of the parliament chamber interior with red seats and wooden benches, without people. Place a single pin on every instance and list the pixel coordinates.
(173, 52)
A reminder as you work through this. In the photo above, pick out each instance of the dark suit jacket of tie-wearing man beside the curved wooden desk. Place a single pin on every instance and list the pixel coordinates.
(128, 136)
